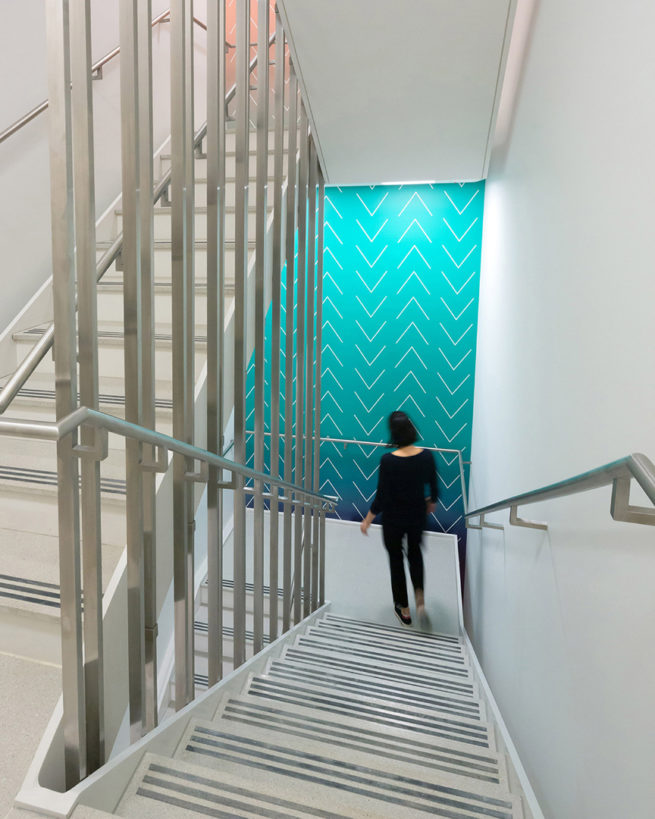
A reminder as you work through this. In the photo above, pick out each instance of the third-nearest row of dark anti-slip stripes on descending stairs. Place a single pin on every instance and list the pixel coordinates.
(341, 740)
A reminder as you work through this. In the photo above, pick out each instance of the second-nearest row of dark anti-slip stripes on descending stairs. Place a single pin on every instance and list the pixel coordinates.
(388, 793)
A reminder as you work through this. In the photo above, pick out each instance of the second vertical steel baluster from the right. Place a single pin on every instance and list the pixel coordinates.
(310, 557)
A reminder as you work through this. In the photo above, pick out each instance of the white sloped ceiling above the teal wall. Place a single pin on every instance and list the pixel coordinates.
(400, 91)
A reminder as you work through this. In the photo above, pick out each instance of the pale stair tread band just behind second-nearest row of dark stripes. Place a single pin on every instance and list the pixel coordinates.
(382, 756)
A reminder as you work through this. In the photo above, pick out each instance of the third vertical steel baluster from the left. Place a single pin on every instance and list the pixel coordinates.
(132, 350)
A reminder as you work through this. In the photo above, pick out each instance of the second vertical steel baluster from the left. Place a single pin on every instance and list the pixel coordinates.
(82, 112)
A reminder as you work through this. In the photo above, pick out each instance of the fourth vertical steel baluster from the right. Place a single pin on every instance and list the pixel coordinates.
(288, 344)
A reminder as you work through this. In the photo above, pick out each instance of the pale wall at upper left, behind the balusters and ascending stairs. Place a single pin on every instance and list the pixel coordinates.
(25, 202)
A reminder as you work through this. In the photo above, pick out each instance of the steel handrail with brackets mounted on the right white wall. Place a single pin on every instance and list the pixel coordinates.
(618, 473)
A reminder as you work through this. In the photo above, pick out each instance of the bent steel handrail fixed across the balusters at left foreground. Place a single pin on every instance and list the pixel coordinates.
(54, 431)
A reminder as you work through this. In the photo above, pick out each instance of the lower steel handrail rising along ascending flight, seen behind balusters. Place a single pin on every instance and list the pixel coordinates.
(44, 344)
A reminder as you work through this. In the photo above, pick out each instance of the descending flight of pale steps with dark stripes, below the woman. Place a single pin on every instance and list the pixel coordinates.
(353, 720)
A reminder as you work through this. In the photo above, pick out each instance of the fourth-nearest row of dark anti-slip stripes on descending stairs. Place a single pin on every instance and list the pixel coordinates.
(457, 727)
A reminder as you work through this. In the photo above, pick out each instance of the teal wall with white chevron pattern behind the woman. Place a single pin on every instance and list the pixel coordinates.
(400, 303)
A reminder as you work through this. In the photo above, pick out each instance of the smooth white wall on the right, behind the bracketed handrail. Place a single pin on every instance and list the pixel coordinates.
(564, 622)
